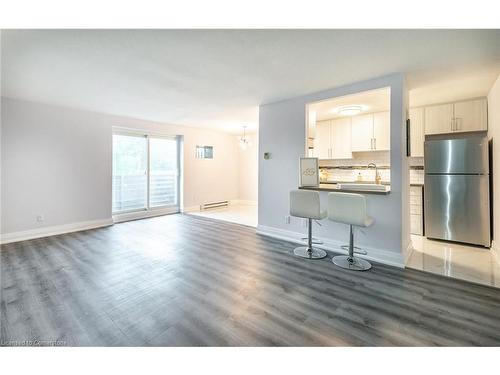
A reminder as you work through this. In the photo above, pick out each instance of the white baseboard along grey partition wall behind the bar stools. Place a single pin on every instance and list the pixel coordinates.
(377, 255)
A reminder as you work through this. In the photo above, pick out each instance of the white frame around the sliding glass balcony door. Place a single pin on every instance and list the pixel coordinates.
(149, 211)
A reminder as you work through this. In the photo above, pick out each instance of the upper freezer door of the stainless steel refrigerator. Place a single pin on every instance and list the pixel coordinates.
(462, 156)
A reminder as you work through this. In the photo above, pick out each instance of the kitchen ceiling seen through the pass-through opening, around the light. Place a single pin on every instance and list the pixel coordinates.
(369, 101)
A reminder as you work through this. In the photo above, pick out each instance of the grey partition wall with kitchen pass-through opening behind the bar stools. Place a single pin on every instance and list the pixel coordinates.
(282, 133)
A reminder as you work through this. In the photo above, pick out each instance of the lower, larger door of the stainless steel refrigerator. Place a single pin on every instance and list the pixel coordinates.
(457, 208)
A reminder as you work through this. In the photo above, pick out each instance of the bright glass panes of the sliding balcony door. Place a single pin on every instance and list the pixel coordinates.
(145, 173)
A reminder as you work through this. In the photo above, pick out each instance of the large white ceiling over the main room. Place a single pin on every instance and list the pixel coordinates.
(218, 78)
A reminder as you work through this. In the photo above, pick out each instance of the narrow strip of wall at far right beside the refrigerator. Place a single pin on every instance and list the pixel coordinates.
(494, 133)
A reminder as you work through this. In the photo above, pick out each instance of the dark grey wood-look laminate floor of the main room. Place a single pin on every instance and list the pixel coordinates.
(182, 280)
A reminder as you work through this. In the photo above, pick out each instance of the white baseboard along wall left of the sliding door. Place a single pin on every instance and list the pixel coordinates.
(54, 230)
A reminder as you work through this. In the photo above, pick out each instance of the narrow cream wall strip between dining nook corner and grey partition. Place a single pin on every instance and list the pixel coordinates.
(248, 170)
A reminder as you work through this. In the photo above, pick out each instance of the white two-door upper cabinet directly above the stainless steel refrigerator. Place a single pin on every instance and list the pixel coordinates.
(465, 116)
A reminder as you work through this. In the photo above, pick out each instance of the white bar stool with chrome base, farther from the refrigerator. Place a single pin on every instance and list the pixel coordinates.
(305, 204)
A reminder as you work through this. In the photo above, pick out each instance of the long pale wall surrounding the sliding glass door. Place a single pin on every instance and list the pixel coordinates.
(57, 162)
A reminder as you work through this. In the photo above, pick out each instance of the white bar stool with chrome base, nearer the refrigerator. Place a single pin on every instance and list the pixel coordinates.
(349, 209)
